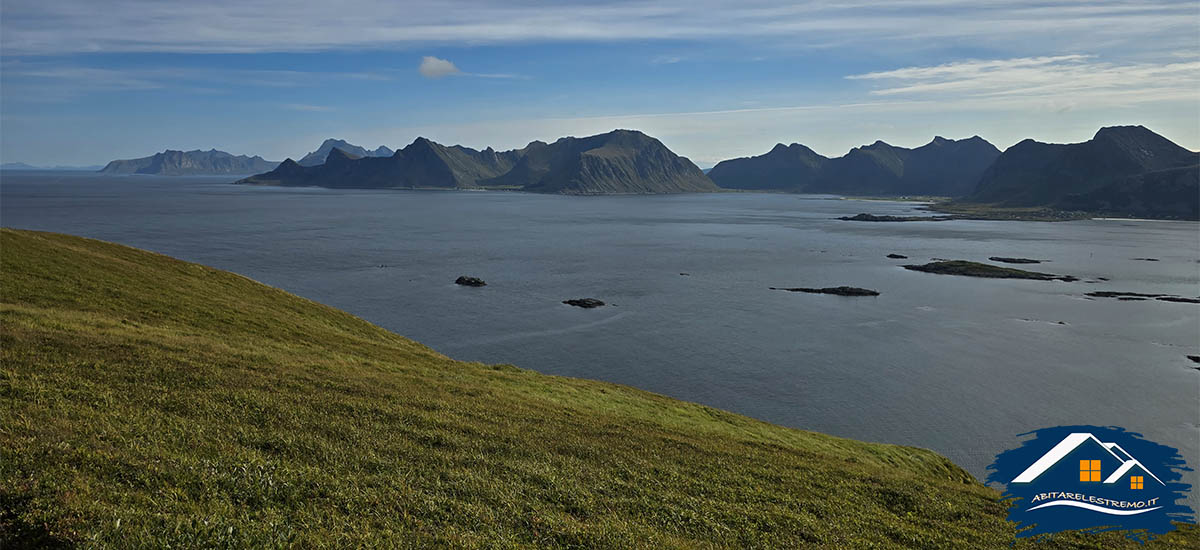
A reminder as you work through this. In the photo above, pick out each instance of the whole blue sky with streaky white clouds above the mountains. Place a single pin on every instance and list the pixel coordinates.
(83, 82)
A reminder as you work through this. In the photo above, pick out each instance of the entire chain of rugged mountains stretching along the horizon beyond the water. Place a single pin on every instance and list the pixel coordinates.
(1124, 171)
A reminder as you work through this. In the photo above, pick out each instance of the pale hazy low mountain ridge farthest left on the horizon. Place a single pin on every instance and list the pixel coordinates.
(196, 163)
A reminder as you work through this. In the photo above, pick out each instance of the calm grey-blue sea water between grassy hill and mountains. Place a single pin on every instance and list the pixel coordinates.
(955, 364)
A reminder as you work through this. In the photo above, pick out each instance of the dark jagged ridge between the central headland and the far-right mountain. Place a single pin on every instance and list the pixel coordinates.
(943, 168)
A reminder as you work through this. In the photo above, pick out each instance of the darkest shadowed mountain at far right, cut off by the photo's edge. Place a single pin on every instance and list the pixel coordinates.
(1121, 171)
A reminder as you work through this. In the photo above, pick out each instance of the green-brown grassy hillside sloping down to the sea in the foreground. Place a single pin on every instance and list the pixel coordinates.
(151, 403)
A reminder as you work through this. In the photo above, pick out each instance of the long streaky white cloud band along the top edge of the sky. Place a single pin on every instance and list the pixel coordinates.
(35, 27)
